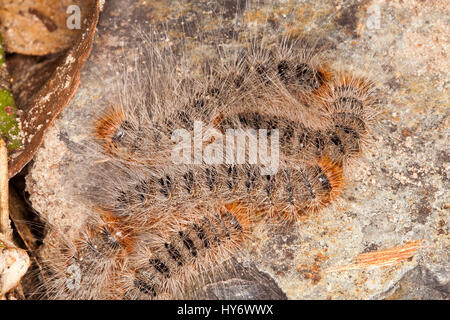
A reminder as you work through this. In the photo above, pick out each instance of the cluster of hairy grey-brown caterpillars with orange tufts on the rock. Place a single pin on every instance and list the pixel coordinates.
(156, 226)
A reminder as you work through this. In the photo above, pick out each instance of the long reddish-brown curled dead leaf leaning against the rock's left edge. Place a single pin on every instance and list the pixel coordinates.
(40, 108)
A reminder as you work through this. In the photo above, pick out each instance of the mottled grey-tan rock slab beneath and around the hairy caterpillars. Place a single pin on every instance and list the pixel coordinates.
(389, 236)
